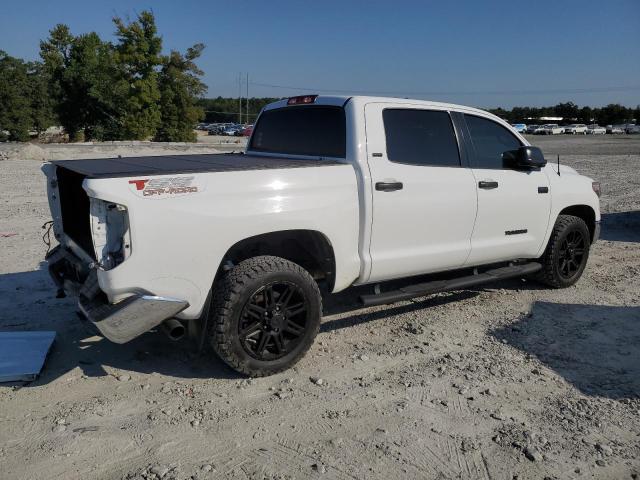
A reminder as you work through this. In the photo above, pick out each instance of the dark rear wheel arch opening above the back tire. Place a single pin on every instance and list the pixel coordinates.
(310, 249)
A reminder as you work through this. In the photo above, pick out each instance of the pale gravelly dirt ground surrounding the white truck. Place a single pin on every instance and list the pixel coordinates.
(503, 382)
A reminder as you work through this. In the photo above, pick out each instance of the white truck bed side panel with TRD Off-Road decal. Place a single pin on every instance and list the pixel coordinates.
(179, 241)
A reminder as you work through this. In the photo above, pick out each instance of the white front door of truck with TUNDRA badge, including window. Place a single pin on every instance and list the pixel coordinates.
(513, 205)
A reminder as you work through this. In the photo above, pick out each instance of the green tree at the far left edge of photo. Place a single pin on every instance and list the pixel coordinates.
(15, 108)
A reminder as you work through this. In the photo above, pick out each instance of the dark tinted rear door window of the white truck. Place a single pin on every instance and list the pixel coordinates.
(420, 137)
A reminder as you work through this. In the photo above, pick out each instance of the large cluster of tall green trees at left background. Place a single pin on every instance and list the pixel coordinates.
(99, 90)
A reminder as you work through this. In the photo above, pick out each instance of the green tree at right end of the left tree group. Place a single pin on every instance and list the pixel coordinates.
(180, 85)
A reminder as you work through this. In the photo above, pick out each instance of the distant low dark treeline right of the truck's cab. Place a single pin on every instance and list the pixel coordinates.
(570, 112)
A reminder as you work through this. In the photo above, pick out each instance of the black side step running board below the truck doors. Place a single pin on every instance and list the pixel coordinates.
(427, 288)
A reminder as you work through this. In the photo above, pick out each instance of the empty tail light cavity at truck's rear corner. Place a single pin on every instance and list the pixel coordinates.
(110, 233)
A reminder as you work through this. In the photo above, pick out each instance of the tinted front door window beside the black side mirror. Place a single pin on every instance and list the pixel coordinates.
(490, 140)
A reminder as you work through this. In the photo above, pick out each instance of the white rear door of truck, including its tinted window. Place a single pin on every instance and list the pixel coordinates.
(424, 200)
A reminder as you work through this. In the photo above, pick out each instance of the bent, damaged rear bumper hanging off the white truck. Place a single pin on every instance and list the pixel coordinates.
(120, 322)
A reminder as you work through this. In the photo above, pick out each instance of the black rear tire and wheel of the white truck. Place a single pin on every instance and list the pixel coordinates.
(256, 323)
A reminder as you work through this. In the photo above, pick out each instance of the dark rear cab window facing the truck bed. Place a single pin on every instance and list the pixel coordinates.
(310, 130)
